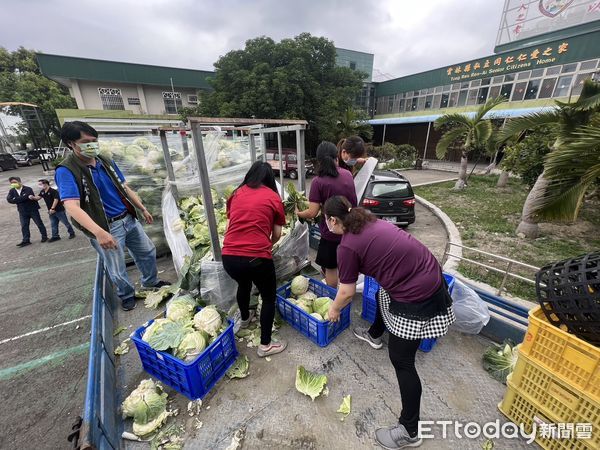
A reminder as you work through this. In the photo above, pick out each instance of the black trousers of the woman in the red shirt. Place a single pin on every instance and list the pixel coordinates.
(260, 271)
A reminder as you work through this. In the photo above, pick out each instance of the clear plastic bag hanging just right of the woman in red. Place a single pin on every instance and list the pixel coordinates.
(290, 255)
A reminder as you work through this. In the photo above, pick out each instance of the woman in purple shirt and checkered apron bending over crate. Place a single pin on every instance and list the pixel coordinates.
(412, 304)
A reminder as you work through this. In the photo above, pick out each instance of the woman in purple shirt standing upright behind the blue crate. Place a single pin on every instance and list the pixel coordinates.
(330, 181)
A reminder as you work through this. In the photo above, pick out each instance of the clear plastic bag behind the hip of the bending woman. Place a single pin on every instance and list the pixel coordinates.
(471, 312)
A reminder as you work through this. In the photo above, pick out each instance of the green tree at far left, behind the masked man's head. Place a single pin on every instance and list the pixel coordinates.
(21, 81)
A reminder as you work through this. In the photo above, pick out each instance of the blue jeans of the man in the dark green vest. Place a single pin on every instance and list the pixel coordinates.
(128, 232)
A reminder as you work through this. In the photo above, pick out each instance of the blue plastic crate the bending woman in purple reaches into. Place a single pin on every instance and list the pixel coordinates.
(321, 333)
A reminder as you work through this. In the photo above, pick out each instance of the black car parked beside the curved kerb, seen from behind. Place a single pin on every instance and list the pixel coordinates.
(390, 197)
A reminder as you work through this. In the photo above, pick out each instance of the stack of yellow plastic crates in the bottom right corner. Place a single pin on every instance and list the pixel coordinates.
(555, 385)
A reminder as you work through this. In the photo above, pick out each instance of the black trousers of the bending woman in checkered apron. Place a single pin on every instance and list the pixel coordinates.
(402, 355)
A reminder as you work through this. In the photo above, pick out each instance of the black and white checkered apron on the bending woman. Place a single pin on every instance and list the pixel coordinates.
(413, 329)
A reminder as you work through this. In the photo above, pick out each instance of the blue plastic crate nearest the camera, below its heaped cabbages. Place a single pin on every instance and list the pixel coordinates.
(193, 379)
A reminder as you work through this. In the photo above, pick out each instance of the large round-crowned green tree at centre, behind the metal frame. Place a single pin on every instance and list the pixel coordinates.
(294, 78)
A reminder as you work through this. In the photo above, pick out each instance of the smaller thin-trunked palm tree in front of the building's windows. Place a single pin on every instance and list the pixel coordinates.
(473, 132)
